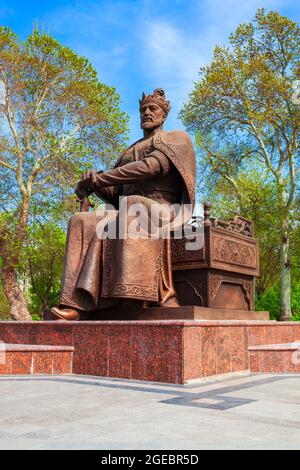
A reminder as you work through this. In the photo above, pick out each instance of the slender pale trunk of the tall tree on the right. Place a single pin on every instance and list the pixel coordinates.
(285, 281)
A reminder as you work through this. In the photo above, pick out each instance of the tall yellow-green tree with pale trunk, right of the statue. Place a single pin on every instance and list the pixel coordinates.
(245, 112)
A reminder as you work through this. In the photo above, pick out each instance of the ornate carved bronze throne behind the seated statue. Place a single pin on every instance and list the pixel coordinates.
(220, 273)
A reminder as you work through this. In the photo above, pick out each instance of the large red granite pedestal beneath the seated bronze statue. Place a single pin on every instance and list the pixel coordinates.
(171, 351)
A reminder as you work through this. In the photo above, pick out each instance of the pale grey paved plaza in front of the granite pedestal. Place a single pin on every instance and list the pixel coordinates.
(237, 411)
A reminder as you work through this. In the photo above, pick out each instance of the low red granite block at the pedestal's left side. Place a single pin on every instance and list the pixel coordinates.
(35, 359)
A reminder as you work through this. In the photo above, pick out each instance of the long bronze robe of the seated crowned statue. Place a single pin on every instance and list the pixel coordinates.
(153, 171)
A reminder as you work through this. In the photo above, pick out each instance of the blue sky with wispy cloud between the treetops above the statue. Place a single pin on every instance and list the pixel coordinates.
(140, 45)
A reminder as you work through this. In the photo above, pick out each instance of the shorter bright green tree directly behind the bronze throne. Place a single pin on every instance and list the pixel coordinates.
(253, 197)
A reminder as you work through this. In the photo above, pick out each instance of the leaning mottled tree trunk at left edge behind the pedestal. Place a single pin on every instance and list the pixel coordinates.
(15, 297)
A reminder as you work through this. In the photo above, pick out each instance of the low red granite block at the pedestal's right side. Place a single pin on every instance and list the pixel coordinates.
(279, 357)
